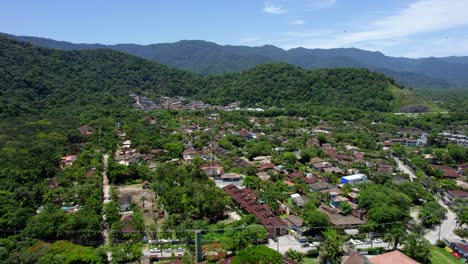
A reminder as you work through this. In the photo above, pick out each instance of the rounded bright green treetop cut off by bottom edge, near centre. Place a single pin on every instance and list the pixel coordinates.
(258, 255)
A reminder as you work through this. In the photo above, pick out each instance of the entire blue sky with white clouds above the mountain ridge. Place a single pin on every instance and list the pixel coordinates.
(417, 28)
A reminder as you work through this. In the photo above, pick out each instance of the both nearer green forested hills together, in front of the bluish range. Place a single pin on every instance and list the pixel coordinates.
(36, 79)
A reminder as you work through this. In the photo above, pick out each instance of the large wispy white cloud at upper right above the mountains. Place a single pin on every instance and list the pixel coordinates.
(402, 28)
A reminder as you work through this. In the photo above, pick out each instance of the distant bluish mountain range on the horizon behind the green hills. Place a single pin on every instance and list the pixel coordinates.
(210, 58)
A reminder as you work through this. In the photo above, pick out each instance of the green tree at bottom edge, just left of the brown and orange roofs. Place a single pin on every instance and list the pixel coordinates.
(331, 247)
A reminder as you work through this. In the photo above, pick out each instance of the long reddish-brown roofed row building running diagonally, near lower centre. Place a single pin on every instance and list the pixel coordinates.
(247, 201)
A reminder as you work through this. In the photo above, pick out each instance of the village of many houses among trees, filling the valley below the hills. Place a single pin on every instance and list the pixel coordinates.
(296, 176)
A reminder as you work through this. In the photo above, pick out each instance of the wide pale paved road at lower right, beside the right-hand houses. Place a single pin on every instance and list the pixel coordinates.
(447, 227)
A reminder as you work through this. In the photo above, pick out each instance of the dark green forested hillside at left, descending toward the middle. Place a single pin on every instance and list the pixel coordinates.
(34, 79)
